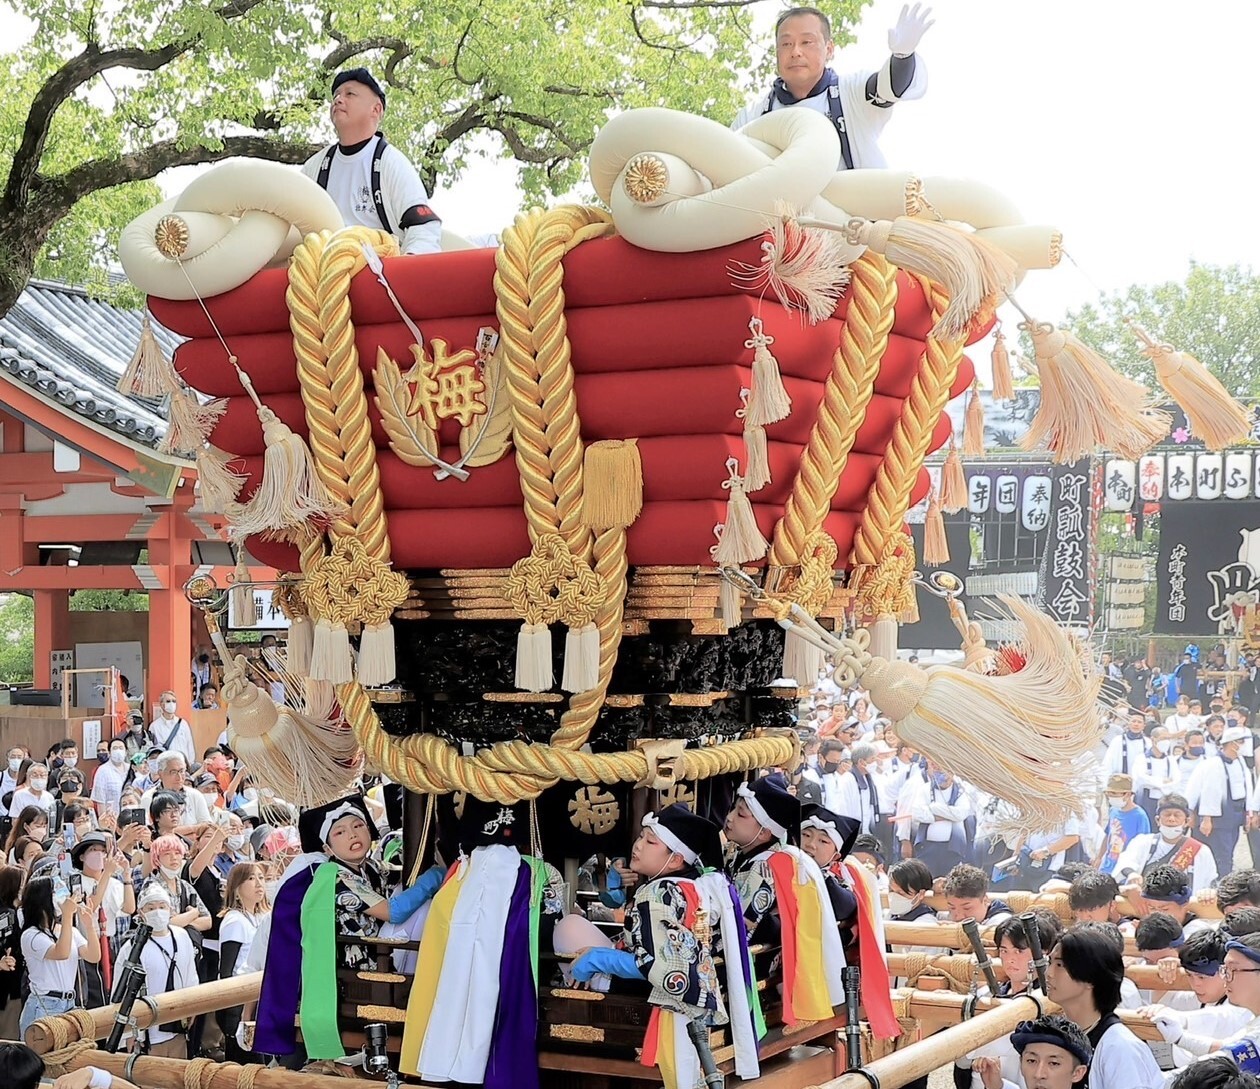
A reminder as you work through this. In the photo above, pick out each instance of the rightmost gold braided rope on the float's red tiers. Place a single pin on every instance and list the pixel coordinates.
(889, 500)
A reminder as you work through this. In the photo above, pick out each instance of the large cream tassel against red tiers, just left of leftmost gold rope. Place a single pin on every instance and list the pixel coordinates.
(290, 493)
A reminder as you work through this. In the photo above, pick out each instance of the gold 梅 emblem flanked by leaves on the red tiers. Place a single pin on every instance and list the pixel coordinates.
(467, 386)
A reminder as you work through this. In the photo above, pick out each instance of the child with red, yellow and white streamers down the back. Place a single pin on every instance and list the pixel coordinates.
(786, 901)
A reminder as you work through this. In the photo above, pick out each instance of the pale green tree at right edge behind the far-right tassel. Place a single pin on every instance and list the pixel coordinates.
(1214, 316)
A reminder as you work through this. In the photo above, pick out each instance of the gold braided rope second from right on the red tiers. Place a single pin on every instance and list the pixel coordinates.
(846, 398)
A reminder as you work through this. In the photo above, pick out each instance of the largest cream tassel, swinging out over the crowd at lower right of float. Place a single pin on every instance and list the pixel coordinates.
(1020, 734)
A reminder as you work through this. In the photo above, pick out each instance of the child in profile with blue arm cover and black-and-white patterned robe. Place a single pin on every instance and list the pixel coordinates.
(684, 913)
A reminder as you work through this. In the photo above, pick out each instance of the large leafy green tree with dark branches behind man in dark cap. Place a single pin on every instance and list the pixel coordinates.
(103, 98)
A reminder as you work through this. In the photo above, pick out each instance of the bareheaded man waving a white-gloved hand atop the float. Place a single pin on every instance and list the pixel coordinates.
(859, 104)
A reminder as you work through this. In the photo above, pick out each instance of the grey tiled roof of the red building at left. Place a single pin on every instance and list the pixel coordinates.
(72, 350)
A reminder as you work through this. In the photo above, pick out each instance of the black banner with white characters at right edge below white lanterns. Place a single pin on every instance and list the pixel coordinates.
(1209, 565)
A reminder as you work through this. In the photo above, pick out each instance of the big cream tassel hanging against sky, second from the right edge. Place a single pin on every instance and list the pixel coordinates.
(1085, 405)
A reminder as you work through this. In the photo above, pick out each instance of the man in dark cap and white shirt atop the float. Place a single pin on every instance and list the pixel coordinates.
(372, 182)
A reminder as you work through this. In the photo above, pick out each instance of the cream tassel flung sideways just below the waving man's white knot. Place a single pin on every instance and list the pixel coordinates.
(976, 274)
